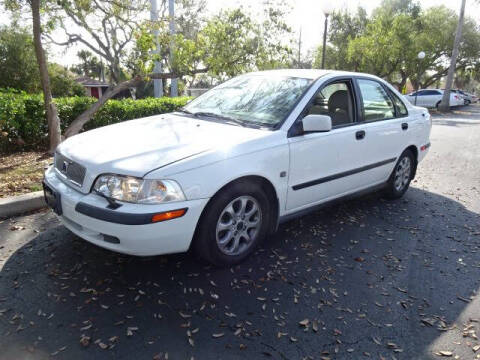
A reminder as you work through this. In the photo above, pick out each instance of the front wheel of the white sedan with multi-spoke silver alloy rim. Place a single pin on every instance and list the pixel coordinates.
(224, 237)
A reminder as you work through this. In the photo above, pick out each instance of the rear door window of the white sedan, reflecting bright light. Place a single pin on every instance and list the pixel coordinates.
(376, 103)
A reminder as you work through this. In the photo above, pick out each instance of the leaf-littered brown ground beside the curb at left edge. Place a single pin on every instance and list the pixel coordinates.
(21, 173)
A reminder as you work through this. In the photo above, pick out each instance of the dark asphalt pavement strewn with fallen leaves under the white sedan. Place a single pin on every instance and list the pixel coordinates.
(365, 278)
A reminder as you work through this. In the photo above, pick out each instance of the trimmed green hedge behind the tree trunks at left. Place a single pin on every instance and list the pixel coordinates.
(23, 124)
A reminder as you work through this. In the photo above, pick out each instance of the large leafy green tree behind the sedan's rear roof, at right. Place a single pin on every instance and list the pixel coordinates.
(398, 30)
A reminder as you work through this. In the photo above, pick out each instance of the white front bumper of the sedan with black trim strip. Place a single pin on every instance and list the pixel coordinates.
(132, 237)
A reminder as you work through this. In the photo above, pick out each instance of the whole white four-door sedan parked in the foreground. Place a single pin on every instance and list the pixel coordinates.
(223, 172)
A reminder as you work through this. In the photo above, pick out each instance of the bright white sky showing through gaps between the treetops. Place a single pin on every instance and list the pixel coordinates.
(306, 15)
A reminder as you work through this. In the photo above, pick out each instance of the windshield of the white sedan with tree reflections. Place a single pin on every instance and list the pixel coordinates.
(251, 100)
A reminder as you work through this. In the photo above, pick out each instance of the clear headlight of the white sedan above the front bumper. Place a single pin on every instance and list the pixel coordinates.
(131, 189)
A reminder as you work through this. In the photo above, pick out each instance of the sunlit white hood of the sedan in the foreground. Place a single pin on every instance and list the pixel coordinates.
(137, 147)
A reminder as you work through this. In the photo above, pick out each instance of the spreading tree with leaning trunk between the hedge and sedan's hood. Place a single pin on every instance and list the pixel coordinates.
(225, 45)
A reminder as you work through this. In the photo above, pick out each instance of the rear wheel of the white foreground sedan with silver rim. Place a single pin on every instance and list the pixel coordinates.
(401, 176)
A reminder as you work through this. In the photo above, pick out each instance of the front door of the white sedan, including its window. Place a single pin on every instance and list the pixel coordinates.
(321, 164)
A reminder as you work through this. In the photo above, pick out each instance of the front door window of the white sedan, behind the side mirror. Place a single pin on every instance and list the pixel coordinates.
(334, 100)
